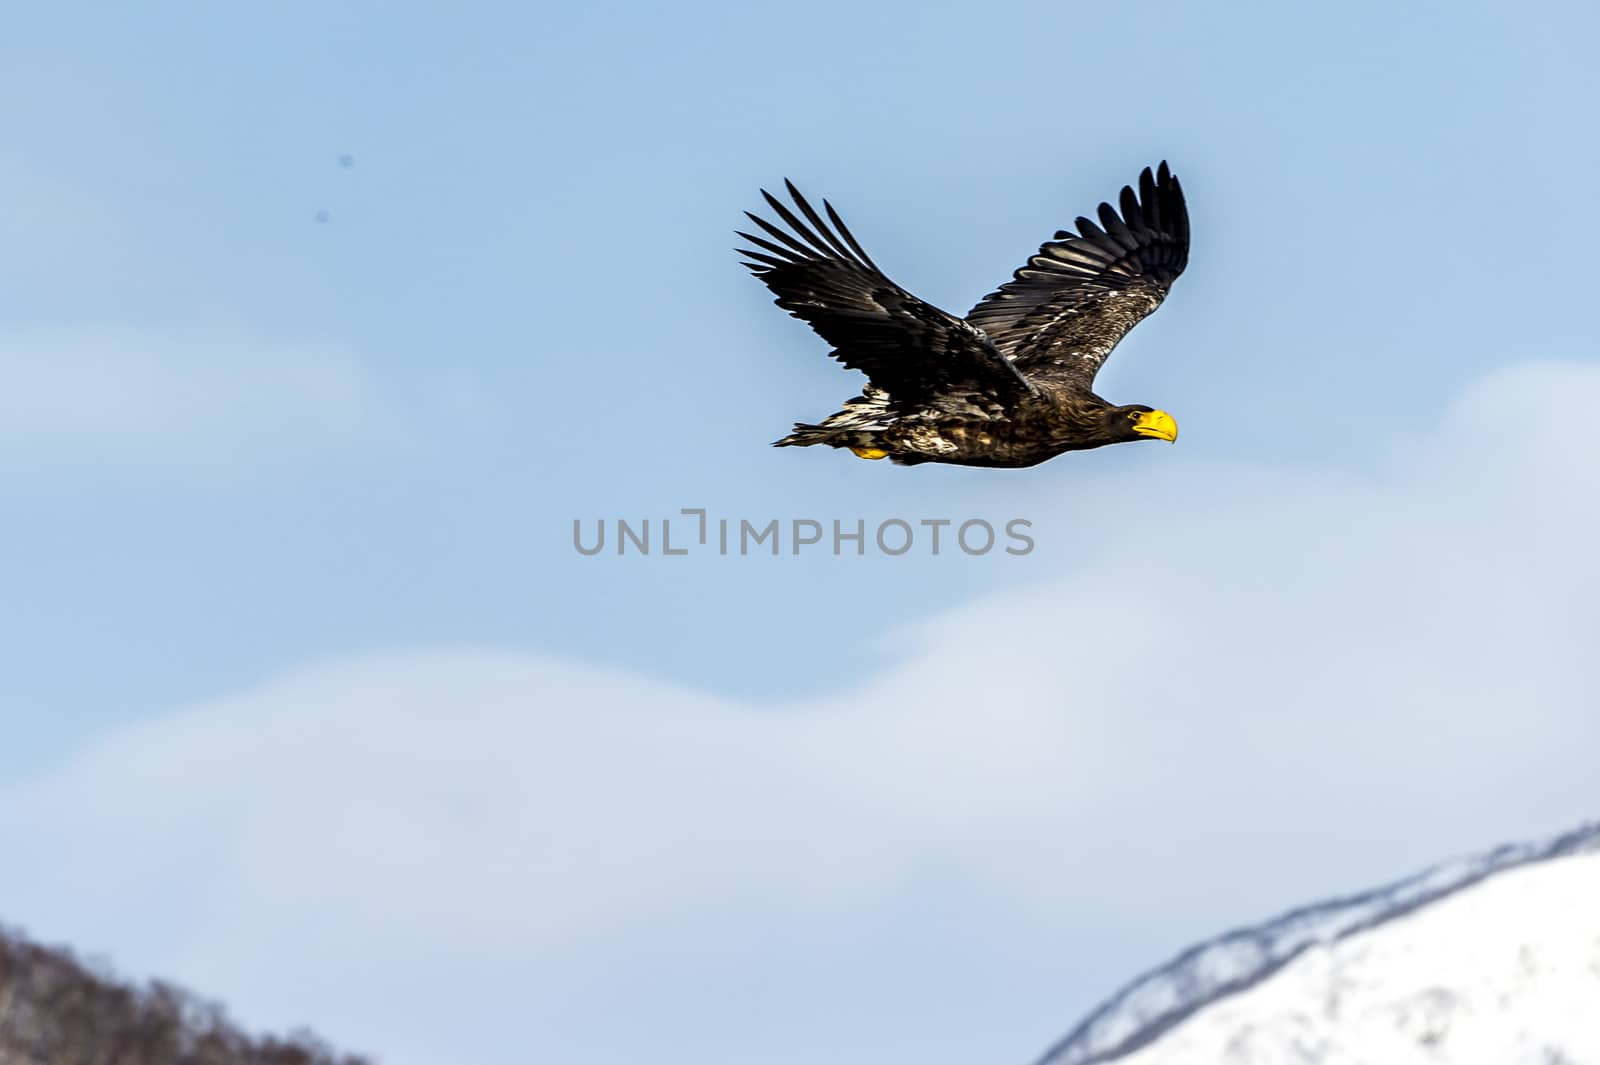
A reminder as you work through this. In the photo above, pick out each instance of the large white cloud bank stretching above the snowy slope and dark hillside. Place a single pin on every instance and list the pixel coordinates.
(1262, 688)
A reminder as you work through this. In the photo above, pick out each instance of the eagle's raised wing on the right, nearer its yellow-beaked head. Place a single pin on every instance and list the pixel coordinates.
(1063, 314)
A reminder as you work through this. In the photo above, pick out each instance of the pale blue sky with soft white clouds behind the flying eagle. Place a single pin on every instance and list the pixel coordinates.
(321, 327)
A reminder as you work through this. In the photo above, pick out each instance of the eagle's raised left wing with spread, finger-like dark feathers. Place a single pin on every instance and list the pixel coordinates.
(908, 348)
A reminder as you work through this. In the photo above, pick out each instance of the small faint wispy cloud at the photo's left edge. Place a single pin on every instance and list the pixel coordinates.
(118, 393)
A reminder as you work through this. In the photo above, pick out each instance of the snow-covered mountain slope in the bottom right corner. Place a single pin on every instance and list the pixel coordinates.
(1492, 960)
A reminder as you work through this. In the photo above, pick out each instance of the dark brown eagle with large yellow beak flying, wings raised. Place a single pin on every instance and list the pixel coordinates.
(1012, 385)
